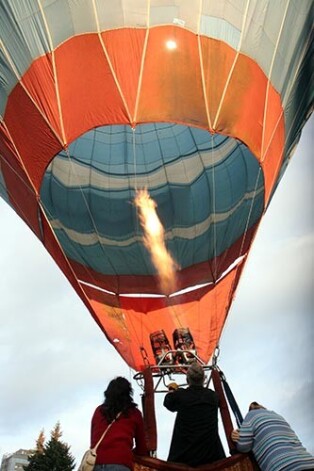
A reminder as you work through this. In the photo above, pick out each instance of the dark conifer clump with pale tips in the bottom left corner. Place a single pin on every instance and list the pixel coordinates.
(53, 456)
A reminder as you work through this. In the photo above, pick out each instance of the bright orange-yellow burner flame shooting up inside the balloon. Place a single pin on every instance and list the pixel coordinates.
(154, 241)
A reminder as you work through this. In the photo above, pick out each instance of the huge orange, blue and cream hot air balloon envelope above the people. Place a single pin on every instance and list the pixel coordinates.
(200, 103)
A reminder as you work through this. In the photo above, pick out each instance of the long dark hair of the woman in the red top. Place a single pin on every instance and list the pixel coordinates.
(118, 398)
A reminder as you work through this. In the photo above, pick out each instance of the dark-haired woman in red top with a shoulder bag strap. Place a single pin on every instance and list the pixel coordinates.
(115, 452)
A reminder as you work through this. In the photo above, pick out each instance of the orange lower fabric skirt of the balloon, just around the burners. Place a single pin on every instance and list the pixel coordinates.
(129, 321)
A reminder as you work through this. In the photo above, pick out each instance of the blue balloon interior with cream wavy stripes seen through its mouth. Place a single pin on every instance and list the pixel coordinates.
(203, 184)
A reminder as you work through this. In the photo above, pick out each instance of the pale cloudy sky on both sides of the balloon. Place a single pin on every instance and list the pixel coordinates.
(55, 362)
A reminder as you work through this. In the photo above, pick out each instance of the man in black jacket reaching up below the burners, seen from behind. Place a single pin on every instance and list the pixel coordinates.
(195, 438)
